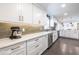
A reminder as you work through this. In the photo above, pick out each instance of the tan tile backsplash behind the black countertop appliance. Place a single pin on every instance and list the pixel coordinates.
(5, 30)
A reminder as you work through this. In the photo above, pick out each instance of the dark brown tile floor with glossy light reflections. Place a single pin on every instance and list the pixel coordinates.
(64, 46)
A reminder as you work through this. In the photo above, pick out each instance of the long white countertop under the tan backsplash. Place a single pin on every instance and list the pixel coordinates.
(7, 42)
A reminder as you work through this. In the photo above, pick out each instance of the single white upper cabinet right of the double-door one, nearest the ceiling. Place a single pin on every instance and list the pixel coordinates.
(38, 15)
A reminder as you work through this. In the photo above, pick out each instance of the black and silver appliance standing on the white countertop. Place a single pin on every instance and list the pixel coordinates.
(16, 33)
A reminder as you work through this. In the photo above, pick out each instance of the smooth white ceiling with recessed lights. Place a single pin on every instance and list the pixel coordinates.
(55, 9)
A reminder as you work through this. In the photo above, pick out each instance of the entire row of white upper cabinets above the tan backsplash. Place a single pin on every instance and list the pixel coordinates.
(25, 12)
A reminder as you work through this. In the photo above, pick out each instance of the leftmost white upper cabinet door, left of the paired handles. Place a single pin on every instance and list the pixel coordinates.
(8, 12)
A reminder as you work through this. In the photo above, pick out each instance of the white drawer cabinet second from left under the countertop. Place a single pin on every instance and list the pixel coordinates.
(33, 46)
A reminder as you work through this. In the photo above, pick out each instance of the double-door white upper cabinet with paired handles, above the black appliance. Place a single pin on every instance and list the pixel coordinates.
(15, 12)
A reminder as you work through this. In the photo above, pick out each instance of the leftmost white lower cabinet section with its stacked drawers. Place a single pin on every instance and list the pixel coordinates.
(19, 48)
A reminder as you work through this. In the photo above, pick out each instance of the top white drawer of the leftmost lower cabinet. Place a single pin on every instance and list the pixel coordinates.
(13, 48)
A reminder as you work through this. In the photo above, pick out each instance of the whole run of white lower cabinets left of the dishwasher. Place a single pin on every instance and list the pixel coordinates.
(34, 46)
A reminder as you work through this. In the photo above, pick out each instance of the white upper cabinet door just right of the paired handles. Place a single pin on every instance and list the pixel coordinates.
(27, 13)
